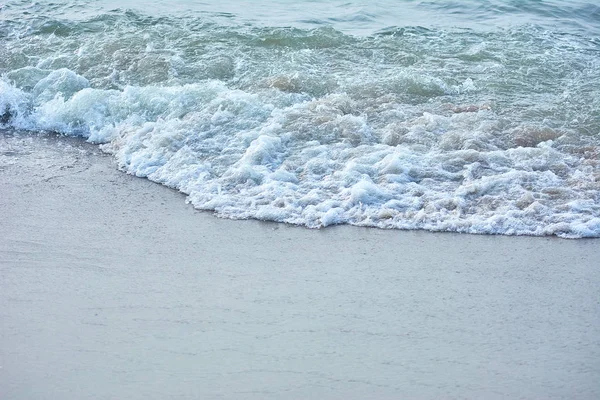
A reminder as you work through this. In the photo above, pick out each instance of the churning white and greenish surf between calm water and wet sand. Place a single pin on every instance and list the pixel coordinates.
(318, 128)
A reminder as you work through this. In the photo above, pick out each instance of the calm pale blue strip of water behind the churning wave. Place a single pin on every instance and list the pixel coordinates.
(354, 17)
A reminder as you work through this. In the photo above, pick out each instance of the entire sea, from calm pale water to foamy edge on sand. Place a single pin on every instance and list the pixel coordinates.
(463, 116)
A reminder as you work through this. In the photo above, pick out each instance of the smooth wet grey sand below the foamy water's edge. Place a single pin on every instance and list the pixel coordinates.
(113, 288)
